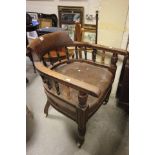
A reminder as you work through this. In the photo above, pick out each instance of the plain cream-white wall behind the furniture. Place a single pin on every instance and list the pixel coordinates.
(112, 16)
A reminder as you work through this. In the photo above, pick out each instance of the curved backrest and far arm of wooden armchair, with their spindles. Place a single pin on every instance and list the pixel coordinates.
(59, 41)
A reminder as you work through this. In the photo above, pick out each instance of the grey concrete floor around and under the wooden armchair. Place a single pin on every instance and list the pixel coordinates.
(107, 130)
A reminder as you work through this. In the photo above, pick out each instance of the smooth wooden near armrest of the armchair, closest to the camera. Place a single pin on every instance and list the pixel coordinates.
(71, 82)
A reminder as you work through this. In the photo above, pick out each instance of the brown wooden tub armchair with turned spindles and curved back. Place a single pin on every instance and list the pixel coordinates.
(75, 86)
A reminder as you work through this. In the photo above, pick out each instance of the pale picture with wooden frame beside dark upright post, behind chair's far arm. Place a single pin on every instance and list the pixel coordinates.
(89, 33)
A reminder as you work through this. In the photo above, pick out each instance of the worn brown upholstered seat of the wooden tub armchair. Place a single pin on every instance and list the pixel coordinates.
(82, 71)
